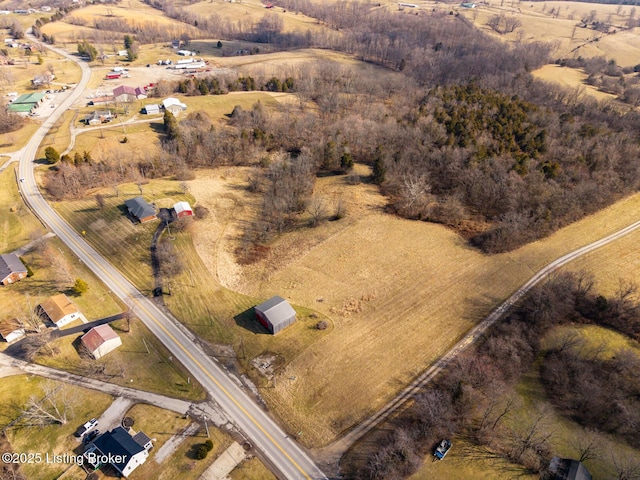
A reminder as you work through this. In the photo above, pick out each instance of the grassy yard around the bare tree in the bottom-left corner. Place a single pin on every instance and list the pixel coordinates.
(81, 405)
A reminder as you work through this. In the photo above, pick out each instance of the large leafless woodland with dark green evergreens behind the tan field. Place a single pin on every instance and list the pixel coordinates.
(501, 158)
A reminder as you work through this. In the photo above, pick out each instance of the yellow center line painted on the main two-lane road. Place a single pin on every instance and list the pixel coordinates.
(81, 248)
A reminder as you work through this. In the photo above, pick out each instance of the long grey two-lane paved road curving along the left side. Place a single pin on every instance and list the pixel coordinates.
(286, 458)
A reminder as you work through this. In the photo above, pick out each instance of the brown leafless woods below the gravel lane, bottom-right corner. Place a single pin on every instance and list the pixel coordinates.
(474, 398)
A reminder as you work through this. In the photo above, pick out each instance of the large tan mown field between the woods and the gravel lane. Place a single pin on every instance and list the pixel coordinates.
(399, 292)
